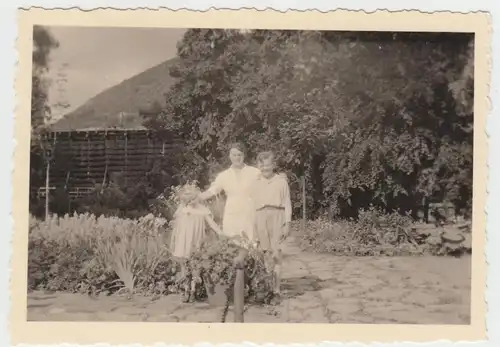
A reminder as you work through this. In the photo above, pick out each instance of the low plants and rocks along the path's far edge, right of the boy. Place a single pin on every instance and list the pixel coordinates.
(375, 233)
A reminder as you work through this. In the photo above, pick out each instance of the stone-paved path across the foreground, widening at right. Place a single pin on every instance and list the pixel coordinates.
(318, 288)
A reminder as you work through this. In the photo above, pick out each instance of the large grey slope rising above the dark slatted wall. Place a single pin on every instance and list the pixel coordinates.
(128, 97)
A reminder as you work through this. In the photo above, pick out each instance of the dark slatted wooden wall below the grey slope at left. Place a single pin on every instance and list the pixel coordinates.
(86, 158)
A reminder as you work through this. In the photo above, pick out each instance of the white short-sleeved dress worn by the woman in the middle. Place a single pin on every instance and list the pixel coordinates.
(239, 210)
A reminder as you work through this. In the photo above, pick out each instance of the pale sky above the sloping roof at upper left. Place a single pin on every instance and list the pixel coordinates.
(92, 59)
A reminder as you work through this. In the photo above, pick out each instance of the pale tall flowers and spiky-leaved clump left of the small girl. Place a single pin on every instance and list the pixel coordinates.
(132, 249)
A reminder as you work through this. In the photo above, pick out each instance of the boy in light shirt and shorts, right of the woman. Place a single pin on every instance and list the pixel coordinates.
(271, 195)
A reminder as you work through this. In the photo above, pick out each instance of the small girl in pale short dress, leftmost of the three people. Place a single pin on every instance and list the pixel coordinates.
(189, 230)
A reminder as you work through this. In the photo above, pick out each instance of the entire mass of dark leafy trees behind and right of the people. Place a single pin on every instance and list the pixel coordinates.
(384, 118)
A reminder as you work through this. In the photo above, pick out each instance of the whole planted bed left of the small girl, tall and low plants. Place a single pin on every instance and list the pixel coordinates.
(82, 253)
